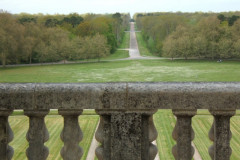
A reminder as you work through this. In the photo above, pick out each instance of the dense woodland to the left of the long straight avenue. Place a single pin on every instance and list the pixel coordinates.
(27, 38)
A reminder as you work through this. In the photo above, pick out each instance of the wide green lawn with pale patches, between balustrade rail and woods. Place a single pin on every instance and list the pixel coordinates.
(118, 71)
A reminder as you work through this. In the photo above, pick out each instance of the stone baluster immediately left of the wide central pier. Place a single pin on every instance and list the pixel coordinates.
(71, 135)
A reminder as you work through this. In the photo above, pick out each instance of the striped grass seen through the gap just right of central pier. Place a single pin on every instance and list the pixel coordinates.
(165, 122)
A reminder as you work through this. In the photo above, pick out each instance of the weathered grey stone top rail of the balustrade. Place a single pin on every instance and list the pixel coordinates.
(120, 96)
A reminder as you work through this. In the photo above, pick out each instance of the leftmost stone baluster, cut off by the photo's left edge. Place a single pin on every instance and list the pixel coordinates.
(6, 136)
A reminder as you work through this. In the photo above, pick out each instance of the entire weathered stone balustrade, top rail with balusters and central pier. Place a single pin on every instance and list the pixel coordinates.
(126, 130)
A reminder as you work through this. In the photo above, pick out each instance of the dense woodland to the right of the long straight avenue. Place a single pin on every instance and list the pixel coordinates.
(191, 35)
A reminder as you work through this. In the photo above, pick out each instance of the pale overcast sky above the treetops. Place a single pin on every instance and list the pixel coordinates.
(112, 6)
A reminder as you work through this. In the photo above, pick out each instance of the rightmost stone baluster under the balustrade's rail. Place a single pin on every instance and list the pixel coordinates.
(220, 134)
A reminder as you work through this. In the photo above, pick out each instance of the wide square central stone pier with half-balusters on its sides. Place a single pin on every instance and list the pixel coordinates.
(126, 135)
